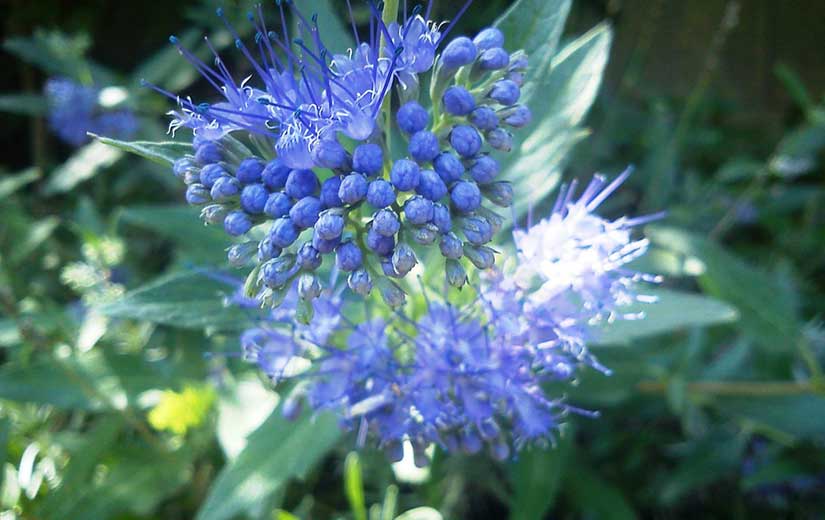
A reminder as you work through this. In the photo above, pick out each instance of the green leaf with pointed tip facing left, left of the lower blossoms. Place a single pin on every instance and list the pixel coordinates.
(193, 299)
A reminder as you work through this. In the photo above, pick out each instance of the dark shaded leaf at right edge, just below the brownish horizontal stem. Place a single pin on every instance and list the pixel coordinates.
(794, 416)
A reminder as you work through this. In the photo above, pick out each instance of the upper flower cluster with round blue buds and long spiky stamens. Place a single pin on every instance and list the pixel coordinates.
(306, 155)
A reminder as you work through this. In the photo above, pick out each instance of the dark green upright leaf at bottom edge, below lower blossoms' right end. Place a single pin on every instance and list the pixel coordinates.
(536, 477)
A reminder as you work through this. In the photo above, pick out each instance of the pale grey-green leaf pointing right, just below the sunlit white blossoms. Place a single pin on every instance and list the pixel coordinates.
(672, 311)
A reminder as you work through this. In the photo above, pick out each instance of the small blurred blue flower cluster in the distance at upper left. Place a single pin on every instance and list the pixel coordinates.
(75, 109)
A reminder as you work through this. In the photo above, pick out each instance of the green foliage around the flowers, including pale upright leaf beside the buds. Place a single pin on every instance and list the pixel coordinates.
(111, 298)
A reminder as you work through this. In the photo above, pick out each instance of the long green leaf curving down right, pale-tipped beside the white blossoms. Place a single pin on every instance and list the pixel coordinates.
(767, 309)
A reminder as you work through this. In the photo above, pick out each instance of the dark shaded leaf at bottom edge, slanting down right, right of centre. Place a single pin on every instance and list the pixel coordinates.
(592, 497)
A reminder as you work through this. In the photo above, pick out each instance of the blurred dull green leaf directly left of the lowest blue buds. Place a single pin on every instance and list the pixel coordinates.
(183, 226)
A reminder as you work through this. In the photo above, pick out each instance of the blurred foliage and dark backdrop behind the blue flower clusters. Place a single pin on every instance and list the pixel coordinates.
(106, 411)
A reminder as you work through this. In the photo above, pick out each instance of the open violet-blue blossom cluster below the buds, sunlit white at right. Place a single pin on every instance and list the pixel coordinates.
(471, 378)
